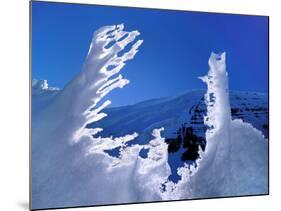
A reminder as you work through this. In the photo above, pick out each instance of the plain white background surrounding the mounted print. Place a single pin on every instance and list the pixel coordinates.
(14, 84)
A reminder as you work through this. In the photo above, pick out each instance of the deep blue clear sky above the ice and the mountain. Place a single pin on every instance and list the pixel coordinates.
(175, 51)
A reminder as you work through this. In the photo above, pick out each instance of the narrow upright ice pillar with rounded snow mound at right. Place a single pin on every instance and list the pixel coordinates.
(235, 161)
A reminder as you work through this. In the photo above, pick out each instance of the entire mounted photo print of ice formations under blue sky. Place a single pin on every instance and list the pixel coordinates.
(146, 105)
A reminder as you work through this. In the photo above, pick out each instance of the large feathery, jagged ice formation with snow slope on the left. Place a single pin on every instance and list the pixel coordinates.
(69, 163)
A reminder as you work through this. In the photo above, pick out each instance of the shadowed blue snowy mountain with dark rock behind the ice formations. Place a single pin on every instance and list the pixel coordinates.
(178, 115)
